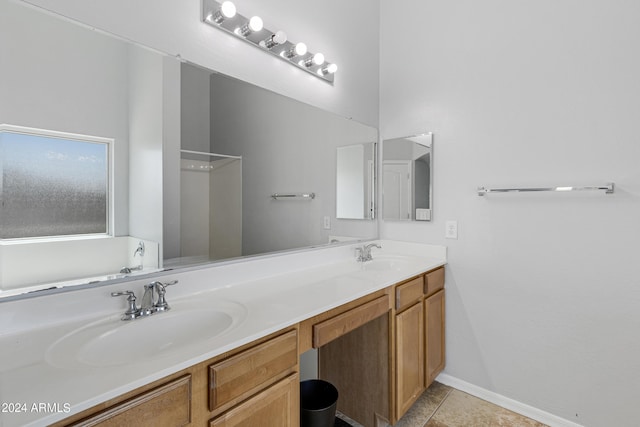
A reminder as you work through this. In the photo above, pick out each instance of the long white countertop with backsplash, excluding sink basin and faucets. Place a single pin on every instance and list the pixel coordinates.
(269, 293)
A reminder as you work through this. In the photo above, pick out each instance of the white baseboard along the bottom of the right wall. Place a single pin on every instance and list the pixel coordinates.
(505, 402)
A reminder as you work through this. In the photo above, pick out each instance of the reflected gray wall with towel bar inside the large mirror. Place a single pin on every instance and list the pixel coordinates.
(281, 154)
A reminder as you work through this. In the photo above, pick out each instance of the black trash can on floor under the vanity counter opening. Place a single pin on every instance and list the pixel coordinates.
(318, 401)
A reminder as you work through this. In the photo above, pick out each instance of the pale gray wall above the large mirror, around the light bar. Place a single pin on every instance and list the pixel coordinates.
(327, 27)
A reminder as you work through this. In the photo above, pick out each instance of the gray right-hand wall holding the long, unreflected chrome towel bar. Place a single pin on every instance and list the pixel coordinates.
(542, 289)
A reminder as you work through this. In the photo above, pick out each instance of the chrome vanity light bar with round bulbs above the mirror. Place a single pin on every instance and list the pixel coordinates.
(225, 17)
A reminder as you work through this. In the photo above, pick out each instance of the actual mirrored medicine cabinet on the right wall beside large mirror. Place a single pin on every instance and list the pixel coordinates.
(407, 178)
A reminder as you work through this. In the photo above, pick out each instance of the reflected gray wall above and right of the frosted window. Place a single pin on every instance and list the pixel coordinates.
(67, 78)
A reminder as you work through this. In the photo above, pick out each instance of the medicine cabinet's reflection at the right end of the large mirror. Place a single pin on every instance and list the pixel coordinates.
(355, 181)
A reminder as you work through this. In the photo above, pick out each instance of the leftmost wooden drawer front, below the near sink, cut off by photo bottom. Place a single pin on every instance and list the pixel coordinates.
(169, 404)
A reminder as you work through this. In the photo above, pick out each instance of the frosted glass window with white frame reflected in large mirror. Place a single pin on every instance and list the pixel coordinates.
(52, 185)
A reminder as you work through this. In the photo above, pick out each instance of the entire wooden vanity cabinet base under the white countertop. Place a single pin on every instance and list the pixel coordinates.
(381, 351)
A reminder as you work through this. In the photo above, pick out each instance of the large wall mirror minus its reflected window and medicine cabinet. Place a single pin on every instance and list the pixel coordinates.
(196, 156)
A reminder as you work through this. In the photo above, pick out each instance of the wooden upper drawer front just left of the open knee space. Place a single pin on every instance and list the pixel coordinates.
(247, 372)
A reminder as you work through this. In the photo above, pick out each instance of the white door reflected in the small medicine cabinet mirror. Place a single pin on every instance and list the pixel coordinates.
(397, 189)
